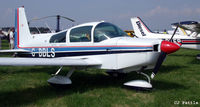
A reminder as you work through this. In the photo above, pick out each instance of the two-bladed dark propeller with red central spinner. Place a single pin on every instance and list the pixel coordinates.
(167, 47)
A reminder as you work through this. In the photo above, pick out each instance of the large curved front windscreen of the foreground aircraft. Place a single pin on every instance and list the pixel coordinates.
(106, 30)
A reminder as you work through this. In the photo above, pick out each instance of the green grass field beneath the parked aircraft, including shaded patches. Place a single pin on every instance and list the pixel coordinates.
(178, 81)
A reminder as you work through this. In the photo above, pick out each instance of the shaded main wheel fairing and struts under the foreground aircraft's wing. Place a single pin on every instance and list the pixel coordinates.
(58, 80)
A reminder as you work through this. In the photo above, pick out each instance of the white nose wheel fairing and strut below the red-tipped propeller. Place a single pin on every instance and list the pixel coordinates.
(140, 84)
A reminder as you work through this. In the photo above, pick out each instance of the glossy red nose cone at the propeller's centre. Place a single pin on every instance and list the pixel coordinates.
(169, 47)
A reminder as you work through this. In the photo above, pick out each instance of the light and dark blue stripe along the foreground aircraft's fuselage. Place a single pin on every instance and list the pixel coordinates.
(80, 51)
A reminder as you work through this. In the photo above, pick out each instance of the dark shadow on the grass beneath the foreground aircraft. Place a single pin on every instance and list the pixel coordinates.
(82, 82)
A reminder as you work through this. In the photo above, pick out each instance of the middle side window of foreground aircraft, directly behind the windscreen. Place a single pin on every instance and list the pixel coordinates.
(81, 34)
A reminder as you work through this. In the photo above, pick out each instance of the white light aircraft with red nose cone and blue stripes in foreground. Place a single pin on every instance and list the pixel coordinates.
(96, 44)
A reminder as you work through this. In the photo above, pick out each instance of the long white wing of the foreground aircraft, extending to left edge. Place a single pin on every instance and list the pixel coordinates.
(48, 62)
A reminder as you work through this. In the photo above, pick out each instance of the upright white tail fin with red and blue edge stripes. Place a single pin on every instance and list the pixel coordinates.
(22, 33)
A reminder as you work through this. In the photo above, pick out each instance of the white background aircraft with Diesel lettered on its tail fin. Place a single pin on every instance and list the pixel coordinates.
(142, 31)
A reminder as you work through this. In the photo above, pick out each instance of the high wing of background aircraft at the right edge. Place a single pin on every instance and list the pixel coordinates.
(189, 25)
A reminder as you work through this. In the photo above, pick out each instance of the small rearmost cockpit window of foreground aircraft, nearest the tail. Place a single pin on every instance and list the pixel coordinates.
(58, 38)
